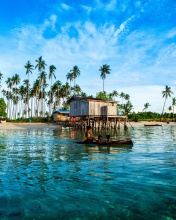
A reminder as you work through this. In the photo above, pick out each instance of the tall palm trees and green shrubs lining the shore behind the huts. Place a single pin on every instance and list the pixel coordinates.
(27, 102)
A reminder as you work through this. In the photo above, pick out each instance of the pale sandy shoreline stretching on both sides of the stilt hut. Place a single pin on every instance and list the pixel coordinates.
(22, 126)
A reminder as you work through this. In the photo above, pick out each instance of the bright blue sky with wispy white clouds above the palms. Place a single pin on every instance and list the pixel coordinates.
(137, 39)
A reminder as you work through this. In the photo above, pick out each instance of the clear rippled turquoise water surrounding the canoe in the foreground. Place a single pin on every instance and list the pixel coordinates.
(44, 174)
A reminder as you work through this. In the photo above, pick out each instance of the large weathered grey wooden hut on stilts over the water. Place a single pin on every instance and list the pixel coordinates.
(95, 112)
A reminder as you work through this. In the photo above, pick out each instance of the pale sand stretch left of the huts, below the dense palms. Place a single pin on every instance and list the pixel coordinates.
(22, 126)
